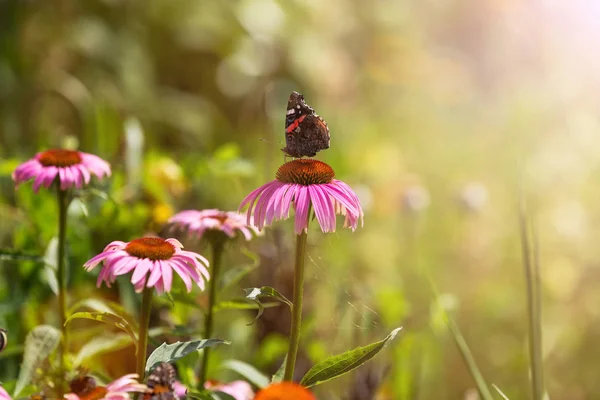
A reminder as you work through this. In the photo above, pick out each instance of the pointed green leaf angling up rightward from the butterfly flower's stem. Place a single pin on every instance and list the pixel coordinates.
(343, 363)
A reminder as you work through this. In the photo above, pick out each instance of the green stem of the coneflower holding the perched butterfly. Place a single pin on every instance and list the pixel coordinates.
(297, 307)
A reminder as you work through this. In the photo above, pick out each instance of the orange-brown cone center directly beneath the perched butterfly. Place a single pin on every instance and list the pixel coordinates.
(305, 171)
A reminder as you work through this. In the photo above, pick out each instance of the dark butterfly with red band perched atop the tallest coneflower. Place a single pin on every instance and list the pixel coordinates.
(306, 133)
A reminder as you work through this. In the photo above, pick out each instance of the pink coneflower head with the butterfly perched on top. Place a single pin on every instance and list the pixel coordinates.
(304, 182)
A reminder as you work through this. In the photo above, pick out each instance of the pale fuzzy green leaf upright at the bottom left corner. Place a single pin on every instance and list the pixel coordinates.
(39, 343)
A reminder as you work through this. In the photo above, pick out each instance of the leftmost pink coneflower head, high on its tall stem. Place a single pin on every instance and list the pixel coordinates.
(72, 168)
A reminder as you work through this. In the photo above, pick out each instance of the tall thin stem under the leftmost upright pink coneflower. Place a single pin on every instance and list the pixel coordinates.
(63, 205)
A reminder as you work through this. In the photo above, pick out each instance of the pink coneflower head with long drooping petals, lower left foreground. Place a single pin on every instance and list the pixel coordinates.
(152, 261)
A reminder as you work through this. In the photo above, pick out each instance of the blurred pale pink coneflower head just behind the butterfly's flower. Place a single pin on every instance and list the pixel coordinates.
(198, 222)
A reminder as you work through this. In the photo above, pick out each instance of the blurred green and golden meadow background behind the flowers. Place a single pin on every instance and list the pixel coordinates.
(439, 111)
